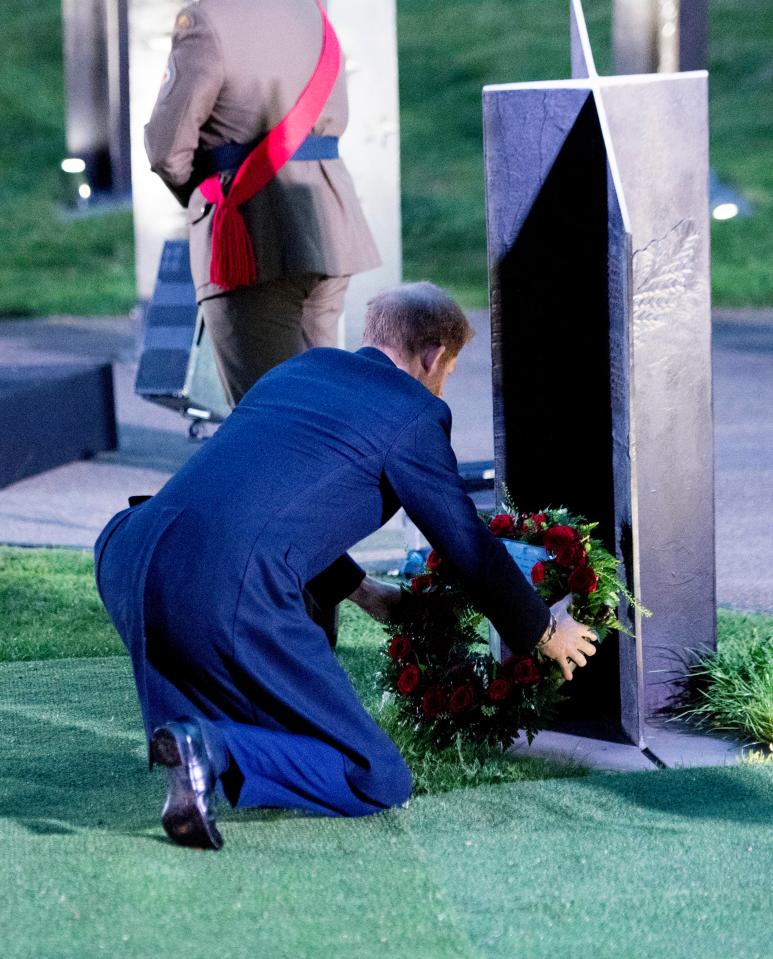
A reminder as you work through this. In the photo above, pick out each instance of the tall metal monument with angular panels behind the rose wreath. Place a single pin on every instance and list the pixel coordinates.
(598, 232)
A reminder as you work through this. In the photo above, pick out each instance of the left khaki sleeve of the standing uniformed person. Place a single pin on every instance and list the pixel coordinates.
(191, 85)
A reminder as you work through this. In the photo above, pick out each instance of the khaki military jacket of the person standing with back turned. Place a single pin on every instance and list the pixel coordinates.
(235, 70)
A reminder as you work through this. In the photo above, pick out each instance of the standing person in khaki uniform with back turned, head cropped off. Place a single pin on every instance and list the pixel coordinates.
(236, 69)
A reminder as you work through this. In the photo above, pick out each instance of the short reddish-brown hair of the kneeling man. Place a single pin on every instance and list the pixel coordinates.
(415, 316)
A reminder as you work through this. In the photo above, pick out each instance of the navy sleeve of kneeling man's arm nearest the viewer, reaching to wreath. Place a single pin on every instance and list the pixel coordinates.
(422, 470)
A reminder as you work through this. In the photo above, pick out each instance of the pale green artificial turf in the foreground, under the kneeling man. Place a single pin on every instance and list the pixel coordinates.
(670, 863)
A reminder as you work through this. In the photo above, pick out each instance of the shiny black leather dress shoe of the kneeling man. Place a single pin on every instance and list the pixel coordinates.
(189, 812)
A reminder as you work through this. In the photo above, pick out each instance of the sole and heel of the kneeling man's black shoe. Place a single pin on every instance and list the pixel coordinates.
(182, 819)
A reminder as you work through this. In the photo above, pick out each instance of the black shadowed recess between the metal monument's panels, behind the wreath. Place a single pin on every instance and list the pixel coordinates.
(552, 325)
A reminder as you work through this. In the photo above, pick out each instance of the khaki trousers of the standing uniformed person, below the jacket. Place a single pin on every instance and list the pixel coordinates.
(254, 328)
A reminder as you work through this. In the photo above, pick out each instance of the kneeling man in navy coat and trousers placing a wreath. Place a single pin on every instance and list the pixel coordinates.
(205, 581)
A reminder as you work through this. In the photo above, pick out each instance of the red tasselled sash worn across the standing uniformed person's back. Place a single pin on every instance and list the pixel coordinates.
(233, 258)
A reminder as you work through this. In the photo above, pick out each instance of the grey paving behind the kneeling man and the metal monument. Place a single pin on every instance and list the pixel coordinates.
(68, 506)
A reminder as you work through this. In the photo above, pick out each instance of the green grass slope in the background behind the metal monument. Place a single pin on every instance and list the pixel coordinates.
(447, 52)
